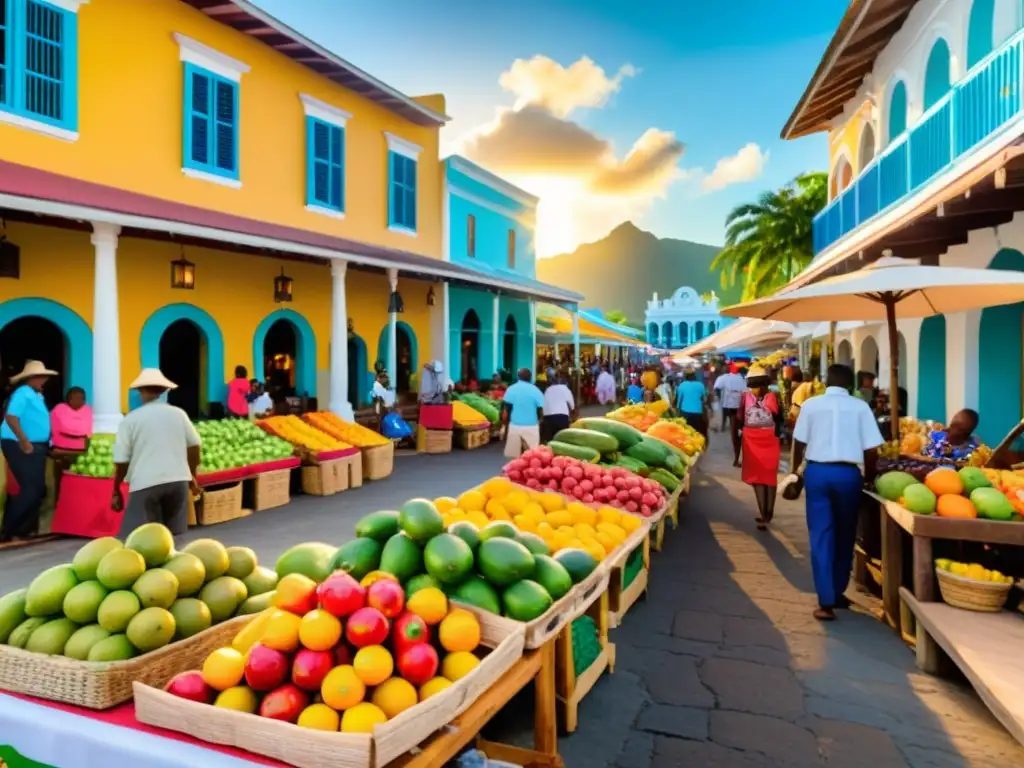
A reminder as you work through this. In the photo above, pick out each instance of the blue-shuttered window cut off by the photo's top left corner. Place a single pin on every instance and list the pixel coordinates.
(39, 65)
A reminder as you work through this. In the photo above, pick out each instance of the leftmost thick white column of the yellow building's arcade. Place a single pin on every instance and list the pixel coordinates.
(106, 331)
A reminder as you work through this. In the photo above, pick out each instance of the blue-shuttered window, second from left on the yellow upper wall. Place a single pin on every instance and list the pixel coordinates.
(211, 123)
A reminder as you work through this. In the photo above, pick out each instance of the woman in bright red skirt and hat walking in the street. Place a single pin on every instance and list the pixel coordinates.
(759, 420)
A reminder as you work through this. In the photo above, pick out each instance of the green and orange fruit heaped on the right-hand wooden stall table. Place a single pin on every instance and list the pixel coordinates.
(968, 493)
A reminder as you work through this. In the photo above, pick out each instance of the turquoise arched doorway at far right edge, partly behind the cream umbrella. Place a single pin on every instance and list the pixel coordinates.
(1000, 352)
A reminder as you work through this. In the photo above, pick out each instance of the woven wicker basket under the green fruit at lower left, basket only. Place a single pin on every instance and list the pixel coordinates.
(100, 686)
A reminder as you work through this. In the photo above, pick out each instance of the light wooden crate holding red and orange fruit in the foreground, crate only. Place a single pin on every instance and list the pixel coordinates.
(311, 749)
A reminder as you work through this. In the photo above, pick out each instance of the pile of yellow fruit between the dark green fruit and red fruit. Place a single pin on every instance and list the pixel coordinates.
(561, 524)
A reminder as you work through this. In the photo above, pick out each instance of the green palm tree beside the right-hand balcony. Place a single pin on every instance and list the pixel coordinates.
(770, 242)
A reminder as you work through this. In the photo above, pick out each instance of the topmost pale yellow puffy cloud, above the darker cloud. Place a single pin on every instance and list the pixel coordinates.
(543, 82)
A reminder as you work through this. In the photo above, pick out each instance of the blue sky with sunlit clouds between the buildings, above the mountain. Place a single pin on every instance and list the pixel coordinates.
(666, 113)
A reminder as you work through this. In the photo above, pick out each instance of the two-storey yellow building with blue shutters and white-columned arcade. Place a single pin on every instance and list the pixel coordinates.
(195, 186)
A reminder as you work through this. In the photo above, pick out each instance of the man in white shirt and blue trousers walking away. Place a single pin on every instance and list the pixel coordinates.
(836, 434)
